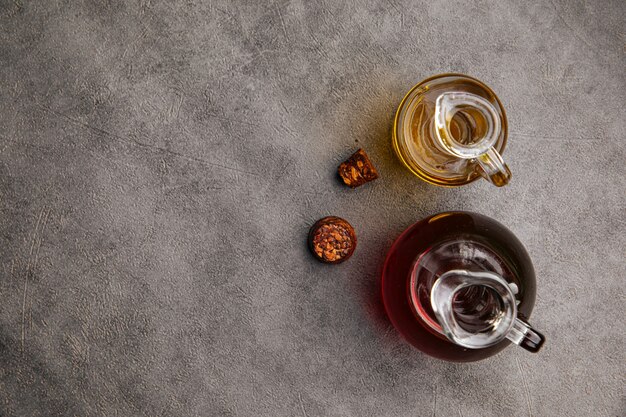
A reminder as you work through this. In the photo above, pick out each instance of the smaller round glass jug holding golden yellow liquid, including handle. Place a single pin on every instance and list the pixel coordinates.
(451, 129)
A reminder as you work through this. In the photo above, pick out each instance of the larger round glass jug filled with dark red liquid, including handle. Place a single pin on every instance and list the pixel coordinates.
(460, 286)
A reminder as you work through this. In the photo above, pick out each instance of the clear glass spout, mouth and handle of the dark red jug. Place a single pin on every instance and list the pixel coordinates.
(478, 309)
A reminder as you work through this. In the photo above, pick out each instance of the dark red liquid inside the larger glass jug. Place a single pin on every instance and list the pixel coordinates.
(454, 240)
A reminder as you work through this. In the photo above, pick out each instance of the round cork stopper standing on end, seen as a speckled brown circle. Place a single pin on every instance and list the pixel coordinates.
(332, 240)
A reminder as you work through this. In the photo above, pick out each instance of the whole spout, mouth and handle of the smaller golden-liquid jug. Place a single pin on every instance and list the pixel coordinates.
(467, 126)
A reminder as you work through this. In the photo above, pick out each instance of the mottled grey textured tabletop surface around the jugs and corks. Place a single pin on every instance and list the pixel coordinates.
(161, 162)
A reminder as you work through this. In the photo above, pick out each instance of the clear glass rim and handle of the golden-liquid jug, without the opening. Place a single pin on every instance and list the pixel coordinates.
(482, 149)
